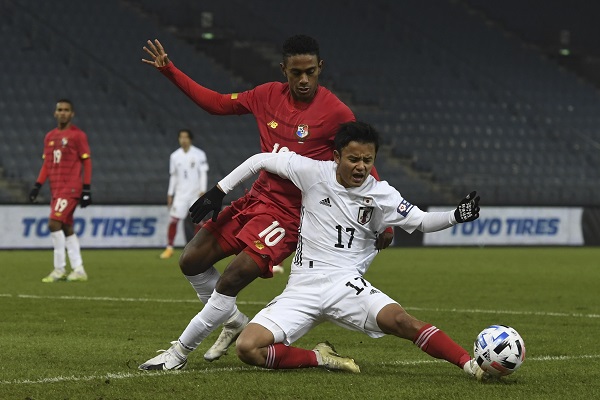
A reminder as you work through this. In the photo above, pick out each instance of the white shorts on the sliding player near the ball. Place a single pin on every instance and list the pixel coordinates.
(309, 299)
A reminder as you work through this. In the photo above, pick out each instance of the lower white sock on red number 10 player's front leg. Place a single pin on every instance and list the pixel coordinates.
(217, 310)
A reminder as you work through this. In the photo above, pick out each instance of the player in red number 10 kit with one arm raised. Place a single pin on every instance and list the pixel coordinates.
(261, 228)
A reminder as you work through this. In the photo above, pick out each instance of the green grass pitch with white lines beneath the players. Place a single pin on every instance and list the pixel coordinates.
(85, 340)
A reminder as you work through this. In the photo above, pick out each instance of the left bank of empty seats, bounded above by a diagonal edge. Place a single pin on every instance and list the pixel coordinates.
(90, 52)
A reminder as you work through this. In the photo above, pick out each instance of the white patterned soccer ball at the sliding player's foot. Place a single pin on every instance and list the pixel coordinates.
(499, 350)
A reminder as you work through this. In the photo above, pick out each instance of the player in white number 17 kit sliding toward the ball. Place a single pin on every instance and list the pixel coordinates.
(343, 211)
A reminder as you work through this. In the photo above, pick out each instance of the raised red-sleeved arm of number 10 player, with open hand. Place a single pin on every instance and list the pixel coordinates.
(209, 100)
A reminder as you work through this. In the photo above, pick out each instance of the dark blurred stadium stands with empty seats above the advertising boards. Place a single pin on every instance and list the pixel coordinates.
(497, 96)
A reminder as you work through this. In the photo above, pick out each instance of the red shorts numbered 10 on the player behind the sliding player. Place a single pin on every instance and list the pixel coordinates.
(263, 231)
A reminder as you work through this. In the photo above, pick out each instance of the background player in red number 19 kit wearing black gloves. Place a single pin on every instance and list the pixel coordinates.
(66, 151)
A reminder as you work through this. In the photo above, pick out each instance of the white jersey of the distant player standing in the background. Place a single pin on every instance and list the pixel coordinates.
(188, 173)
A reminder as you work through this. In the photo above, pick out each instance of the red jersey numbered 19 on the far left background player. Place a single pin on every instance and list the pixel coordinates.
(64, 151)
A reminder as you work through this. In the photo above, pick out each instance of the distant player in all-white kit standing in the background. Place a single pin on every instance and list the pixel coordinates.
(188, 170)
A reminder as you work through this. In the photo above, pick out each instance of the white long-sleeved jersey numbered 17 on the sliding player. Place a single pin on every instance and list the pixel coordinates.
(339, 226)
